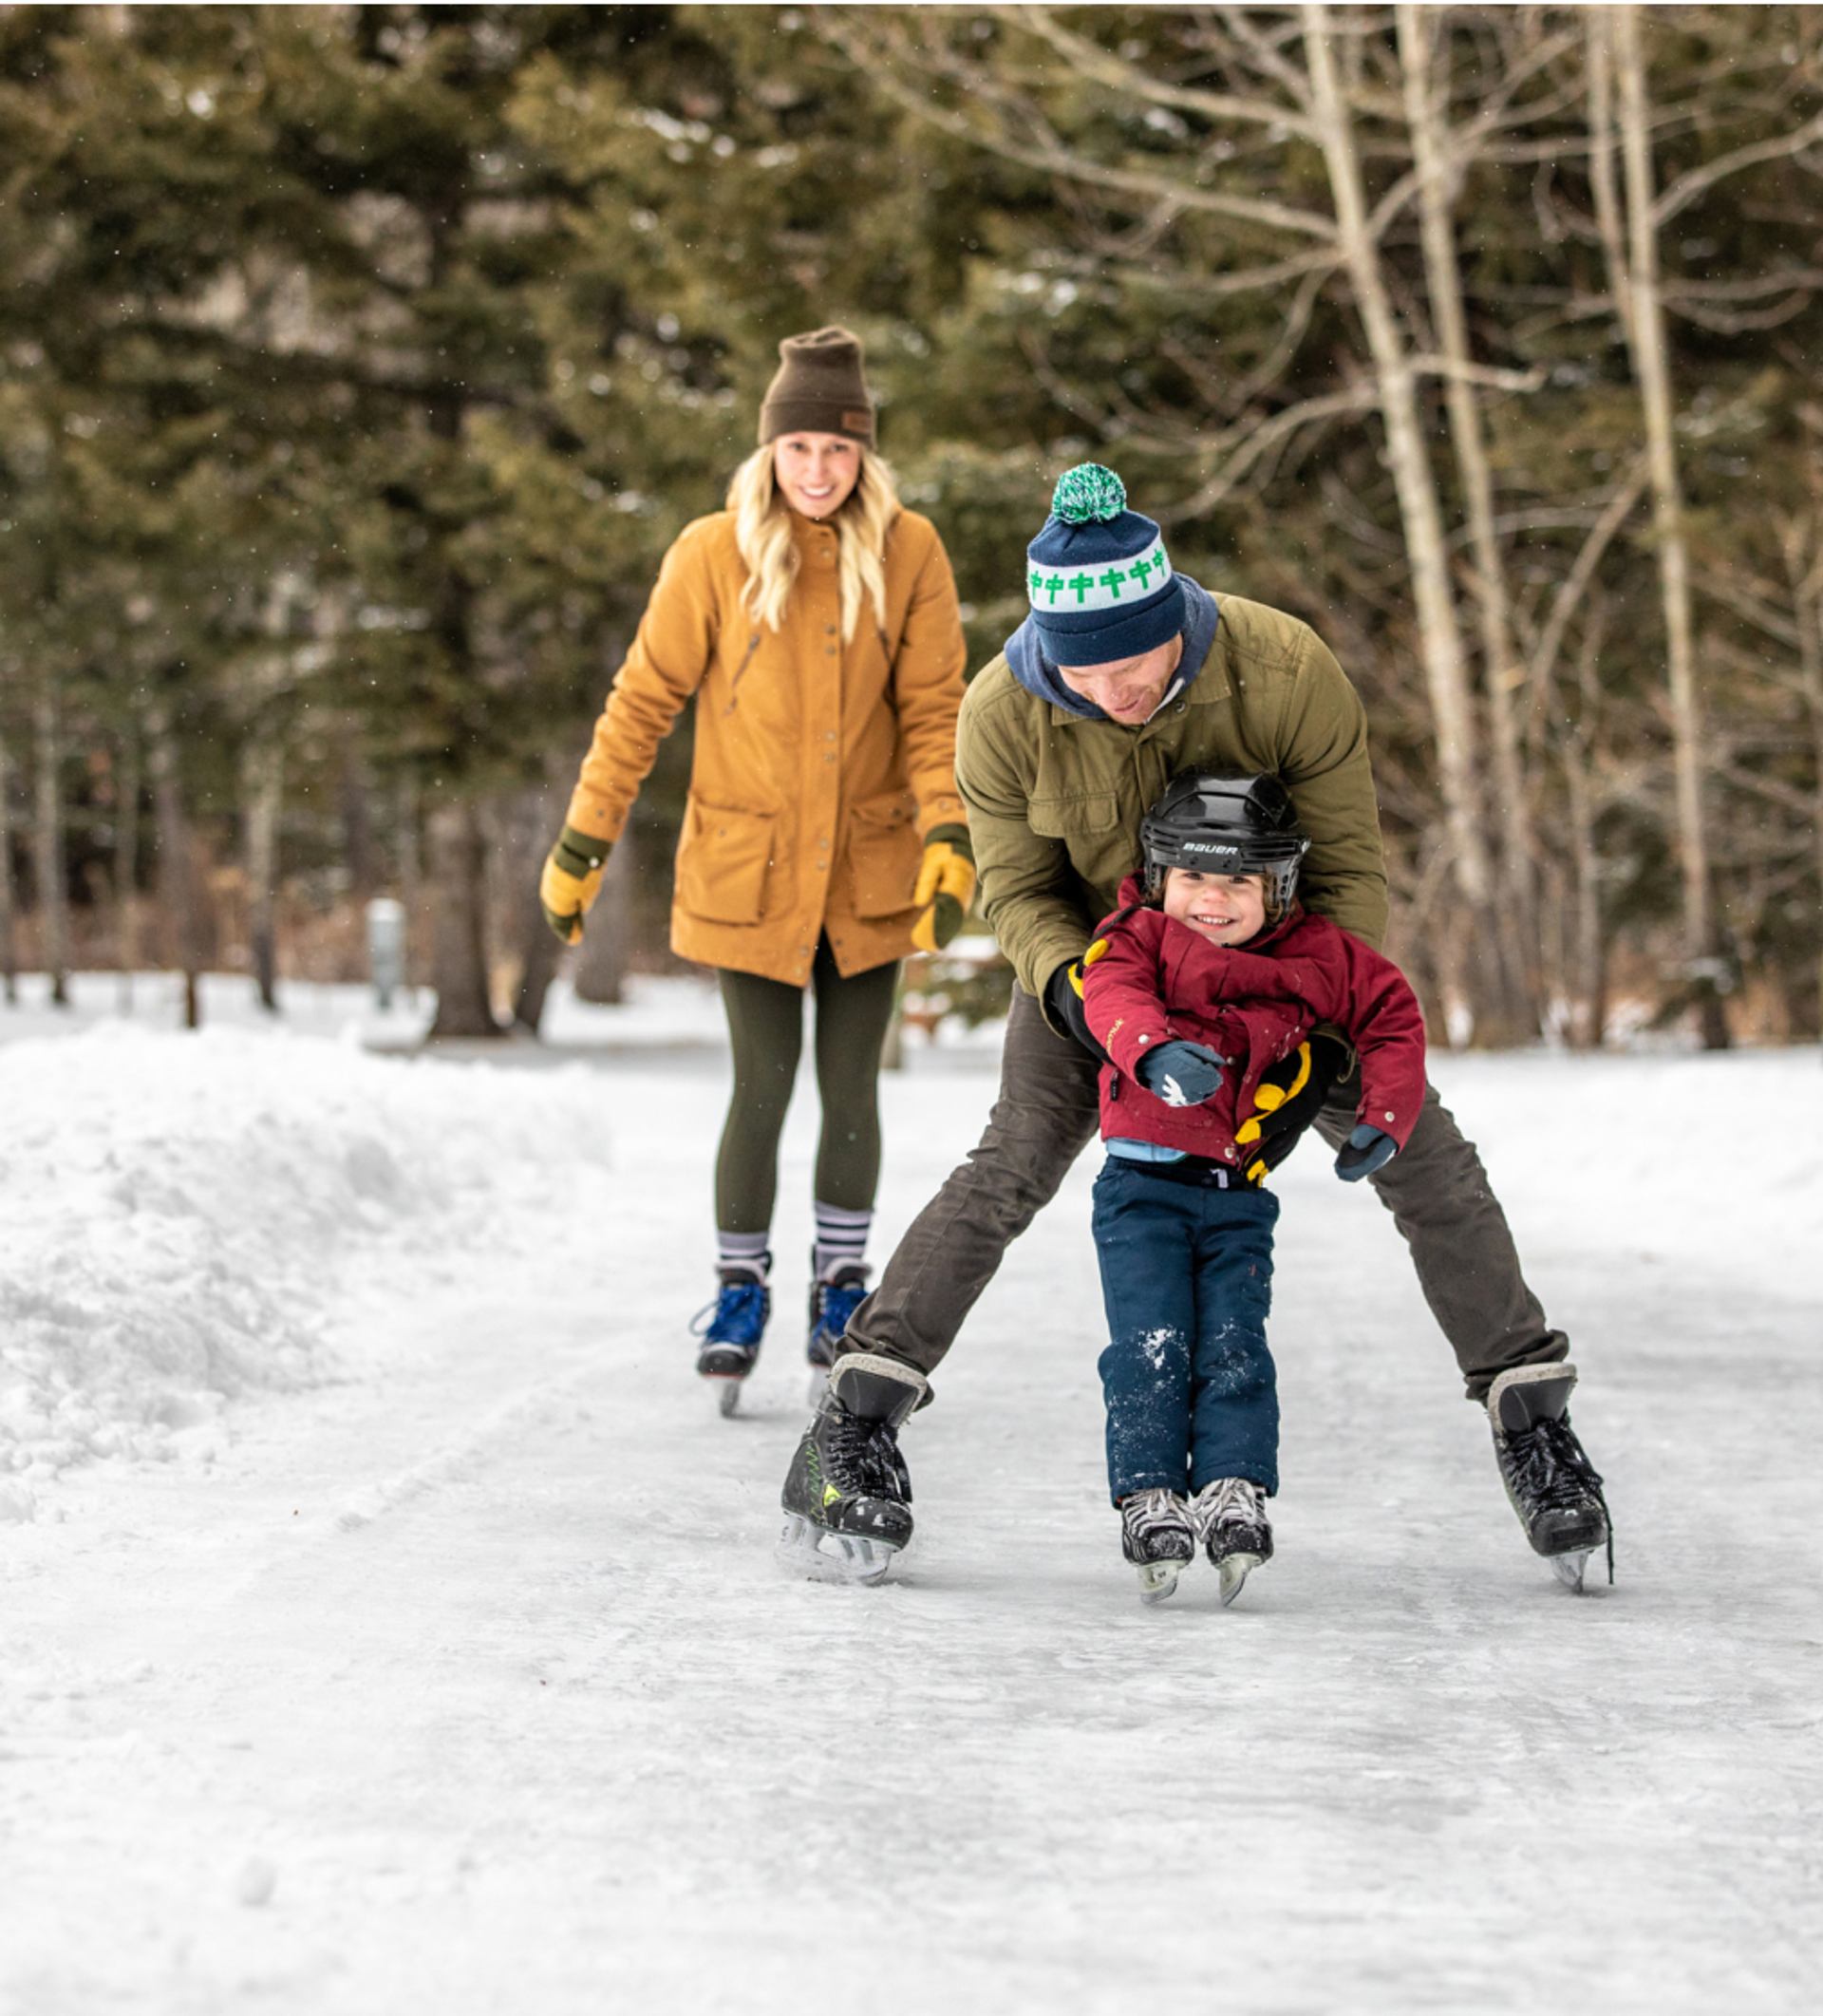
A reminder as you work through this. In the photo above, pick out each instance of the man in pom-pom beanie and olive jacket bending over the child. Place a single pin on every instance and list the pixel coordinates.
(1122, 676)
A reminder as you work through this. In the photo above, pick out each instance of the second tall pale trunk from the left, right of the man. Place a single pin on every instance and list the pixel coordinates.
(1503, 674)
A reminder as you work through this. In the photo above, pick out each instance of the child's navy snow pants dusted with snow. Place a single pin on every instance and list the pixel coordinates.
(1187, 1273)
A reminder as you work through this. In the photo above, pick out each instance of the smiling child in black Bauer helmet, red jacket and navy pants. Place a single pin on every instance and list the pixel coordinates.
(1205, 979)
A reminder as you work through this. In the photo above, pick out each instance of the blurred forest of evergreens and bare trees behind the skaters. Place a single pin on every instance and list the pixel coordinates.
(360, 364)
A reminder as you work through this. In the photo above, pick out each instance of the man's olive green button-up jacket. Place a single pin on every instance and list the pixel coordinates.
(1056, 799)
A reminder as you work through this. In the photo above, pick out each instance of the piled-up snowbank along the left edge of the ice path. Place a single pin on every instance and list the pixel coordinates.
(174, 1215)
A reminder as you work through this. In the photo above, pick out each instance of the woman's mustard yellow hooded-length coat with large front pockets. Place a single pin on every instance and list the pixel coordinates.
(818, 767)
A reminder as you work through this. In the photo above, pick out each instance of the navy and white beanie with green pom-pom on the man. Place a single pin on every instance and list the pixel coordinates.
(1098, 576)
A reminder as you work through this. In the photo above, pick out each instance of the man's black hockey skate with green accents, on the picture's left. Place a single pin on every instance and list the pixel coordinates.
(848, 1495)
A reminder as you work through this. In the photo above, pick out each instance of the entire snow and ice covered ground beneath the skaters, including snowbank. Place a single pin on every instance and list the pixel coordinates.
(392, 1626)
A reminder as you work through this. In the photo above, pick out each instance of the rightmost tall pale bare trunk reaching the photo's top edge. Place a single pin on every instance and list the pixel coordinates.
(1647, 328)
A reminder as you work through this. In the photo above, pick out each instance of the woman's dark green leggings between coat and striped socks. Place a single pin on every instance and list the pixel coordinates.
(767, 1029)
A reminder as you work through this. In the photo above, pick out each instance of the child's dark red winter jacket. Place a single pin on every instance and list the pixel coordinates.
(1253, 1005)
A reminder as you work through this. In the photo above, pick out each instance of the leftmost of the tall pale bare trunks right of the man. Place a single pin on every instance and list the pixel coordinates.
(1441, 642)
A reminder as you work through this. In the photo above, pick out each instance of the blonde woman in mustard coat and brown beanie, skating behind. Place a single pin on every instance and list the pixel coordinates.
(824, 838)
